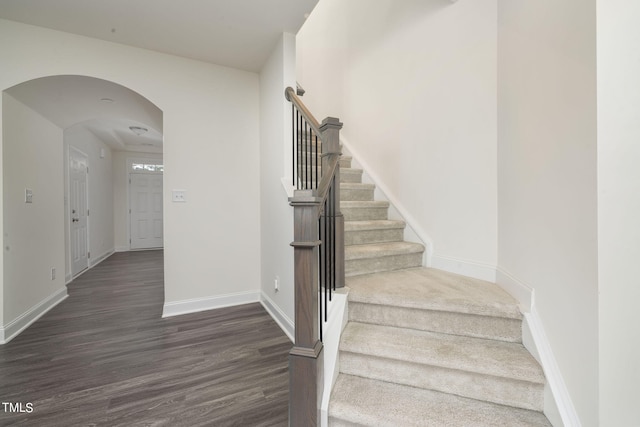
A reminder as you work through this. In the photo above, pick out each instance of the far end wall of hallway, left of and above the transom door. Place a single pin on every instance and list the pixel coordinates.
(121, 216)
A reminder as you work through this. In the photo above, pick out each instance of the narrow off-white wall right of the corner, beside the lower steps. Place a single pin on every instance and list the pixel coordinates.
(547, 177)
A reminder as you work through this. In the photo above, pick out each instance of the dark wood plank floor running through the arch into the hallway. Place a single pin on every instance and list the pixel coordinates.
(105, 357)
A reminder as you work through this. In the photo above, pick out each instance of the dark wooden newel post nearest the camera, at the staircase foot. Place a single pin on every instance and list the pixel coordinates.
(306, 364)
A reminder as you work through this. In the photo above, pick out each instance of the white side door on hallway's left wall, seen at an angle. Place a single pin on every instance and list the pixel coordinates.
(78, 210)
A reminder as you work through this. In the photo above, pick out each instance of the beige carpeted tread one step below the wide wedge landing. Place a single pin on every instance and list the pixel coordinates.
(476, 355)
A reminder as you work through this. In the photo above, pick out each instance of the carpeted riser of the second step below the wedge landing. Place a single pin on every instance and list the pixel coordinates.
(504, 391)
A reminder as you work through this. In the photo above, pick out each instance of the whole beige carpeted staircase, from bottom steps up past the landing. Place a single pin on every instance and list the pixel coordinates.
(424, 347)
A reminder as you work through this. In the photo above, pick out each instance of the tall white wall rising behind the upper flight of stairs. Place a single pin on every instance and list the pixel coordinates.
(414, 83)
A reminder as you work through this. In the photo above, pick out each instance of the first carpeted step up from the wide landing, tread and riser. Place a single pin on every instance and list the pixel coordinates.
(364, 259)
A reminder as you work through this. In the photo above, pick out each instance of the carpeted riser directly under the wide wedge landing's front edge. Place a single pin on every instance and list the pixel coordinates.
(496, 328)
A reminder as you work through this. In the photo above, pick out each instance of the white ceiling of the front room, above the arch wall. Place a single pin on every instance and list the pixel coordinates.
(234, 33)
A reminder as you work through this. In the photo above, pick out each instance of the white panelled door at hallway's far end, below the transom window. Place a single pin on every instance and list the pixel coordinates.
(145, 190)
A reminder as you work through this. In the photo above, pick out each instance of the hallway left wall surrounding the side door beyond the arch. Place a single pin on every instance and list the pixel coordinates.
(100, 180)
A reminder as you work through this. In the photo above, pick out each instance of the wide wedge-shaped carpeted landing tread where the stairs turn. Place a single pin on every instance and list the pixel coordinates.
(432, 289)
